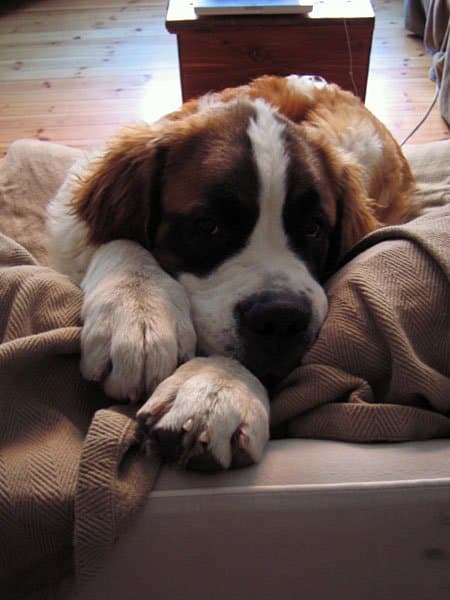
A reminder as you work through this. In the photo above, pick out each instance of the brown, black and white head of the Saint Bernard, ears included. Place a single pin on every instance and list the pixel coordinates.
(247, 209)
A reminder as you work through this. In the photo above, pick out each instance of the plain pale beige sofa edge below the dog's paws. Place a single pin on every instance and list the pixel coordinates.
(315, 519)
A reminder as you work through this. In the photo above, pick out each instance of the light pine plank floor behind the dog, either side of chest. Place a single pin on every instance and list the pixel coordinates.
(72, 72)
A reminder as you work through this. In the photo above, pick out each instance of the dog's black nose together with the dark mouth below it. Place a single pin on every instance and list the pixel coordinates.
(275, 331)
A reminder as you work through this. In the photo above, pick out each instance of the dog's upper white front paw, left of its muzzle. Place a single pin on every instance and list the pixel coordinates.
(133, 337)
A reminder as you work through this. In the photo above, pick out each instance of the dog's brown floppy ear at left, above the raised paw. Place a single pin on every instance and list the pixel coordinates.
(119, 196)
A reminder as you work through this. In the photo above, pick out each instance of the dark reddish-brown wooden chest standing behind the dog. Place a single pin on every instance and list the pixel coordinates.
(333, 41)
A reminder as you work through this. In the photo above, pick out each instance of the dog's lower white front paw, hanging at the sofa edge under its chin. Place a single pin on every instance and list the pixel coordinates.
(211, 414)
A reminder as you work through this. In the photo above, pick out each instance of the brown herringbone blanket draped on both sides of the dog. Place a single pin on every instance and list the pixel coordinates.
(71, 473)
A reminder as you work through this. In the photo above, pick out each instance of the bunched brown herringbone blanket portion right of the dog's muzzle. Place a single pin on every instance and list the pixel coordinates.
(380, 369)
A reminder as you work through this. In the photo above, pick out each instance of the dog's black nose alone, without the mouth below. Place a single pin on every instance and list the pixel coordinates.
(273, 316)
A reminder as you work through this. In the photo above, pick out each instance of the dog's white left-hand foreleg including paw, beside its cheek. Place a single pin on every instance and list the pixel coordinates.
(136, 321)
